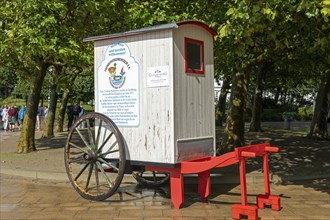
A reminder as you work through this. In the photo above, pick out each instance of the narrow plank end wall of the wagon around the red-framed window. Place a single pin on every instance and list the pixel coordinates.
(194, 96)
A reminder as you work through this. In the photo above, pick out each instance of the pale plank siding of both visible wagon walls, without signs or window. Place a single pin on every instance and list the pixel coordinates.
(176, 121)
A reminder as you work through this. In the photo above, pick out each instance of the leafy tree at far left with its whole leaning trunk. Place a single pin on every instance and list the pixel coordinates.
(37, 37)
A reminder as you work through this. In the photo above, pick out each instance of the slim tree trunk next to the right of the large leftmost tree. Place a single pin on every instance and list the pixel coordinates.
(48, 131)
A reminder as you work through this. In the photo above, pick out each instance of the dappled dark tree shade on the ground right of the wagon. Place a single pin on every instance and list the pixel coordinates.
(298, 158)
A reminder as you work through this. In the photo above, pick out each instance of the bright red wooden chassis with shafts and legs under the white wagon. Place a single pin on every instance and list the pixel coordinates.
(203, 166)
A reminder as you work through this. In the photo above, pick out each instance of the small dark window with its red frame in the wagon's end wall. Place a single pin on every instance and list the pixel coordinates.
(194, 56)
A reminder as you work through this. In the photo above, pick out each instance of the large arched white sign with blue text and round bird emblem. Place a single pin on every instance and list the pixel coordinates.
(118, 86)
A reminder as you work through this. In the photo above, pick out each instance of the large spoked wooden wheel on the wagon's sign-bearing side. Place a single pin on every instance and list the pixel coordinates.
(95, 157)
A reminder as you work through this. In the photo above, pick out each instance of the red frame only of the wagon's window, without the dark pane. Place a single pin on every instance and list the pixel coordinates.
(199, 43)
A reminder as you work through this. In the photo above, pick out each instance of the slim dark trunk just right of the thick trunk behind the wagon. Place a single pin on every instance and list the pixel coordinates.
(255, 125)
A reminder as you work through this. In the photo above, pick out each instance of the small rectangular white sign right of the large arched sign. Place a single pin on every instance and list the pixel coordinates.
(158, 76)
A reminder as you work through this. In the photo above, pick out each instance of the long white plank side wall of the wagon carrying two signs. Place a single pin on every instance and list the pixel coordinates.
(152, 140)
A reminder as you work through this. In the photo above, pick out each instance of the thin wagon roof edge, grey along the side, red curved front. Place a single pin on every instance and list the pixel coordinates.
(151, 29)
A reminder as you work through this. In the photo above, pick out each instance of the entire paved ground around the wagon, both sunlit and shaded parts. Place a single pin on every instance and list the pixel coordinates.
(35, 185)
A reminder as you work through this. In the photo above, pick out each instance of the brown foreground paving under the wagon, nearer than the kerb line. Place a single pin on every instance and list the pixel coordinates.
(24, 198)
